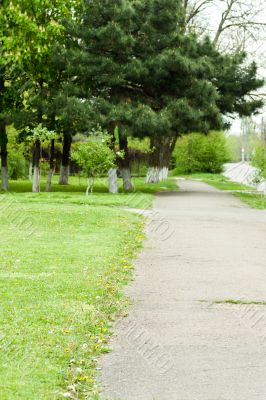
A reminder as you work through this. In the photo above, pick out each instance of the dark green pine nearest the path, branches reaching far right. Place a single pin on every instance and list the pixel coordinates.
(196, 79)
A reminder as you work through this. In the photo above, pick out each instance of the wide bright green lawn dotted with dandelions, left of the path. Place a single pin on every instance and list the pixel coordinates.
(64, 261)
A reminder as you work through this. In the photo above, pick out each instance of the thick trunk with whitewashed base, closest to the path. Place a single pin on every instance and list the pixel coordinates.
(161, 150)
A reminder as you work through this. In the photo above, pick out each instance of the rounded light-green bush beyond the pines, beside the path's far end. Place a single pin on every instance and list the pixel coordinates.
(201, 153)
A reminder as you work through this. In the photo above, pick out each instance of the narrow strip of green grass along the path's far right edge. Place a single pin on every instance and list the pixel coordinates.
(254, 200)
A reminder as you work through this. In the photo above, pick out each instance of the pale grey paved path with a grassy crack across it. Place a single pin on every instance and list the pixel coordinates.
(178, 343)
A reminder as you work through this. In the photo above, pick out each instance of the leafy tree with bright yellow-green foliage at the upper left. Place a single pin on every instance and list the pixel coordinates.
(34, 40)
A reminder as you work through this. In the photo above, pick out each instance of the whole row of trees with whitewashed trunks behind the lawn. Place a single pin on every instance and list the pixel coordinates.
(136, 68)
